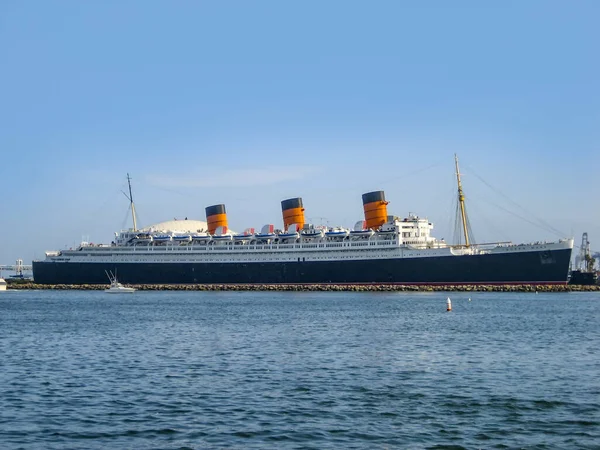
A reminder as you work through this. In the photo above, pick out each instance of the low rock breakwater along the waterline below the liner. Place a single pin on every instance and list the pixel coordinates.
(314, 287)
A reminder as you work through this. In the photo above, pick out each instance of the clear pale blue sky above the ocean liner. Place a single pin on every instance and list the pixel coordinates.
(248, 103)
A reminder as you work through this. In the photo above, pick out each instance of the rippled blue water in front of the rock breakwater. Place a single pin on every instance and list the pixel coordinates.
(235, 370)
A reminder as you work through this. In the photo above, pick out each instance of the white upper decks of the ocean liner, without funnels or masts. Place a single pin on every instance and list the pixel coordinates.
(406, 238)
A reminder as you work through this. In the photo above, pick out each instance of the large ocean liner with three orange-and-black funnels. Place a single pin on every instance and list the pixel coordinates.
(380, 249)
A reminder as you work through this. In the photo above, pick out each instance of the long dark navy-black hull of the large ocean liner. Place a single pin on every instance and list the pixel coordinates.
(536, 267)
